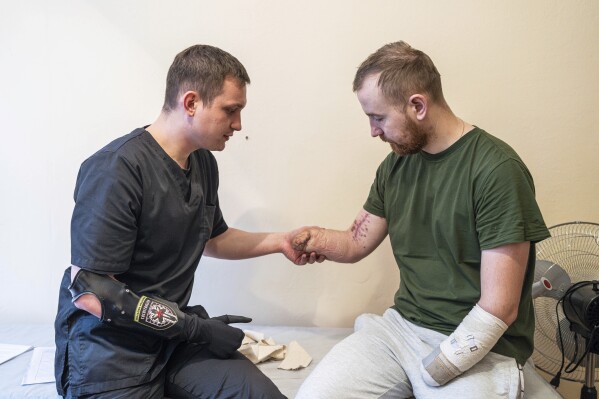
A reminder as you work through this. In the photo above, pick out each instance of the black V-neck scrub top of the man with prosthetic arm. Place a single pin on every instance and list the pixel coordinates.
(137, 215)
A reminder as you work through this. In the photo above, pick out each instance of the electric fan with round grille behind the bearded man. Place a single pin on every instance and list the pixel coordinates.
(566, 304)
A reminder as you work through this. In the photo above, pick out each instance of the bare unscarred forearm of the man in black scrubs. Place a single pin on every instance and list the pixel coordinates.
(239, 244)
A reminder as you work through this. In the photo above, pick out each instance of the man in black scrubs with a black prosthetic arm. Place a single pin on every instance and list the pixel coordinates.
(146, 209)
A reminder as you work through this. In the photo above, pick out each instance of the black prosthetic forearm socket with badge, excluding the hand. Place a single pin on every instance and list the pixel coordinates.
(123, 308)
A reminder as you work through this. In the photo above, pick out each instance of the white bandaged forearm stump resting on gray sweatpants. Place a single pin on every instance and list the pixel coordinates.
(466, 346)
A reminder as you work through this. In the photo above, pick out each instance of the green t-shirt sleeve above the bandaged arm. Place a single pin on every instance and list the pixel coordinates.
(506, 209)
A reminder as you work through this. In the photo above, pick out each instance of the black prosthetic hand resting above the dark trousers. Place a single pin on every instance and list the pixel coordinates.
(221, 339)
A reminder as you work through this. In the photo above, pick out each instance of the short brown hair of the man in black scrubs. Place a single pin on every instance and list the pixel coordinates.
(201, 68)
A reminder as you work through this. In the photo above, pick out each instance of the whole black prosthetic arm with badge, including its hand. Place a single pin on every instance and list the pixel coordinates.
(123, 308)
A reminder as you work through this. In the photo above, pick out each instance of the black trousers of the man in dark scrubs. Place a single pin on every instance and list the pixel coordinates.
(193, 372)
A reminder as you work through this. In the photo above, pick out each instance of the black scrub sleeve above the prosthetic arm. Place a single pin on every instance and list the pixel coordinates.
(107, 204)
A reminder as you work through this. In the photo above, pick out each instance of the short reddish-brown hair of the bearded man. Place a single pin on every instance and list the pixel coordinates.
(403, 71)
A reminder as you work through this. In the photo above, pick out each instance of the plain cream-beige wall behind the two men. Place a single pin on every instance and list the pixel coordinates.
(76, 74)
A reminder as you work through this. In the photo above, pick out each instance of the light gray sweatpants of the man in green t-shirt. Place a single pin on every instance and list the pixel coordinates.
(381, 359)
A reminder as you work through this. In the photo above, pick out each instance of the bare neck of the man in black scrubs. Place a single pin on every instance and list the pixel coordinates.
(169, 137)
